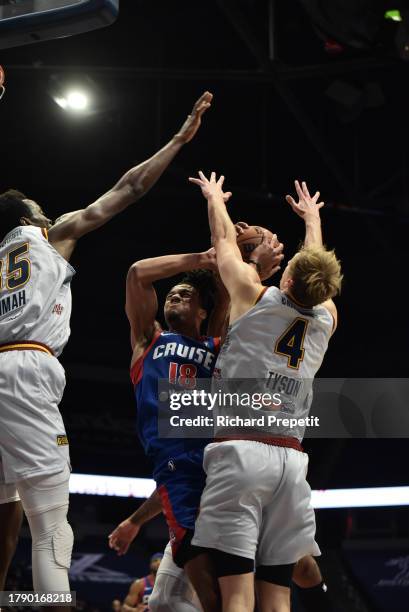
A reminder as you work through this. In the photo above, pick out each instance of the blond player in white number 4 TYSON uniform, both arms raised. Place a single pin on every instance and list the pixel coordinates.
(256, 506)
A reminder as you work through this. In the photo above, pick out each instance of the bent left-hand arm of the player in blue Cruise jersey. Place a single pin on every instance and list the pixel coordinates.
(141, 301)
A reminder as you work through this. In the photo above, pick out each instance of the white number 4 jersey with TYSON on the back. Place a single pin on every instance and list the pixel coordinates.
(280, 343)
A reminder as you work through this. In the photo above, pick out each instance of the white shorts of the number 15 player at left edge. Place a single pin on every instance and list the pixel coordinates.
(32, 433)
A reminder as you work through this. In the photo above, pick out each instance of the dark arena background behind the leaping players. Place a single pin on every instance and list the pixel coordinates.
(302, 89)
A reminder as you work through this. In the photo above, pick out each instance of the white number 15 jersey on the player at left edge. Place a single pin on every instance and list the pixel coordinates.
(35, 294)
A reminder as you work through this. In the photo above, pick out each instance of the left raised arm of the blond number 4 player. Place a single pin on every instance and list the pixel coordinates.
(240, 279)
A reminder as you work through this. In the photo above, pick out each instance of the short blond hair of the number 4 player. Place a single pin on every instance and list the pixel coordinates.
(316, 275)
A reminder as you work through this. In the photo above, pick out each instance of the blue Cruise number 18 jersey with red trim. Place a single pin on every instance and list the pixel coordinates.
(179, 359)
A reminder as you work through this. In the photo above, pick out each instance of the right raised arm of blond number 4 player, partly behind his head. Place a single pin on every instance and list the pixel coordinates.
(308, 208)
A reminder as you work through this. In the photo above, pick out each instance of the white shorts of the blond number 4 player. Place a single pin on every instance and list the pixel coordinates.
(256, 503)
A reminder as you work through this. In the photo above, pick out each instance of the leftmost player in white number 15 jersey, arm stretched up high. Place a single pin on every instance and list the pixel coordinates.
(35, 307)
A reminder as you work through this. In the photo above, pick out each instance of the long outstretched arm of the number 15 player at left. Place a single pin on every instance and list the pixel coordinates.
(129, 189)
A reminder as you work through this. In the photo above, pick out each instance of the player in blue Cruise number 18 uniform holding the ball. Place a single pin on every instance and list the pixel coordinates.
(179, 355)
